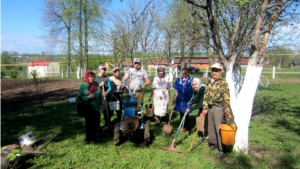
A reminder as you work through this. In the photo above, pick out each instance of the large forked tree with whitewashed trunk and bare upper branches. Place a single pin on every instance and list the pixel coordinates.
(238, 28)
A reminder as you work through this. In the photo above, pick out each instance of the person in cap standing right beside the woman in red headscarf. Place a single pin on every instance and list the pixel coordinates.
(105, 87)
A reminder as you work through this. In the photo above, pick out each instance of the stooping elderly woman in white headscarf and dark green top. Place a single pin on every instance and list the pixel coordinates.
(197, 102)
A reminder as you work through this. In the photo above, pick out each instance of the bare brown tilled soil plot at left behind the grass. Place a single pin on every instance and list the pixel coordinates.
(17, 94)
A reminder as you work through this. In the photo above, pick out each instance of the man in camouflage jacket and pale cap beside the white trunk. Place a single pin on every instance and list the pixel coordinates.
(216, 103)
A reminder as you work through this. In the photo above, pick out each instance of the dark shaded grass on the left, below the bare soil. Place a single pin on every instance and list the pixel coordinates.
(53, 118)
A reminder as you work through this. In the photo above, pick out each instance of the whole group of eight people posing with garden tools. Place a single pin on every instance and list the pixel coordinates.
(211, 100)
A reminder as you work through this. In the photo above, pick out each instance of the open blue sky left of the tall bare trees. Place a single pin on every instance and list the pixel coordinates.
(21, 26)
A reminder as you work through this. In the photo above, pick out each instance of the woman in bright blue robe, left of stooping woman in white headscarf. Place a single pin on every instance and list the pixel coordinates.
(182, 95)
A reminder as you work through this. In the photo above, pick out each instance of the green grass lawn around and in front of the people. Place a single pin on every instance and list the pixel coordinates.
(274, 135)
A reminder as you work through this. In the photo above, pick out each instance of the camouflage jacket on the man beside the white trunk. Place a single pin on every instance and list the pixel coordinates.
(217, 94)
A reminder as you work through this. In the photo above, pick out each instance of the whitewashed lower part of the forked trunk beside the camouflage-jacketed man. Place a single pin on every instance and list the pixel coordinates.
(242, 104)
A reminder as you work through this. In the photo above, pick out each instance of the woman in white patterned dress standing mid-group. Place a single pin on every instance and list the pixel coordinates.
(160, 88)
